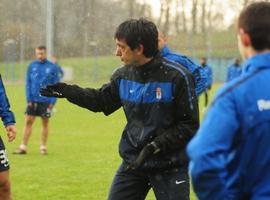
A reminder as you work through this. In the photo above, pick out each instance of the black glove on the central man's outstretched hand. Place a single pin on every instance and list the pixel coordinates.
(57, 90)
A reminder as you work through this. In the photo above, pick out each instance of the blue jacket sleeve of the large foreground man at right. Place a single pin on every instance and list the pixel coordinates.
(209, 150)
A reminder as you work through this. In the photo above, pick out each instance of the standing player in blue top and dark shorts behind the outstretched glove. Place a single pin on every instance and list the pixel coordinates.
(40, 73)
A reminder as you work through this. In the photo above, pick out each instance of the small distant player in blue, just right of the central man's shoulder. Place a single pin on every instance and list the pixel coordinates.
(209, 74)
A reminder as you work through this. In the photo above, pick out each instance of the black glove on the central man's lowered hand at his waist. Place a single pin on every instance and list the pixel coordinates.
(145, 154)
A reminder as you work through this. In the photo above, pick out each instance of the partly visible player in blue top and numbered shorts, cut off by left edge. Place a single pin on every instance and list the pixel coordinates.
(9, 123)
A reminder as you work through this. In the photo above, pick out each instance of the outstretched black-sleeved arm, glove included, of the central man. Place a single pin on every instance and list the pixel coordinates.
(105, 99)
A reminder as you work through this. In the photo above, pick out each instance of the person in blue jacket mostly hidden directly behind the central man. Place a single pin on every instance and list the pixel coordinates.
(197, 71)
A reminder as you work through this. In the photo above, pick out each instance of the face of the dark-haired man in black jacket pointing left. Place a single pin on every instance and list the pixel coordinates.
(125, 53)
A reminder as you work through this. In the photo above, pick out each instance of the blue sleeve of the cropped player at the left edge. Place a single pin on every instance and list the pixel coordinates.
(6, 115)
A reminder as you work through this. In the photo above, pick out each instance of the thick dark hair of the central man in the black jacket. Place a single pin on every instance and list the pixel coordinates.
(137, 32)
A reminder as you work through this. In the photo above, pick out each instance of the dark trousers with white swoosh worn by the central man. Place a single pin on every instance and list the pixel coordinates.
(172, 184)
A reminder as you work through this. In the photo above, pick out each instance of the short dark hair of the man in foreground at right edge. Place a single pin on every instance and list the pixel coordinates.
(255, 20)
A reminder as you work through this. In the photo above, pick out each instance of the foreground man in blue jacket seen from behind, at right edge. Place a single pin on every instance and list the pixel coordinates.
(230, 155)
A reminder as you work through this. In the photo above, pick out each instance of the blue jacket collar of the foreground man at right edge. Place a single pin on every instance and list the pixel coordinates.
(256, 62)
